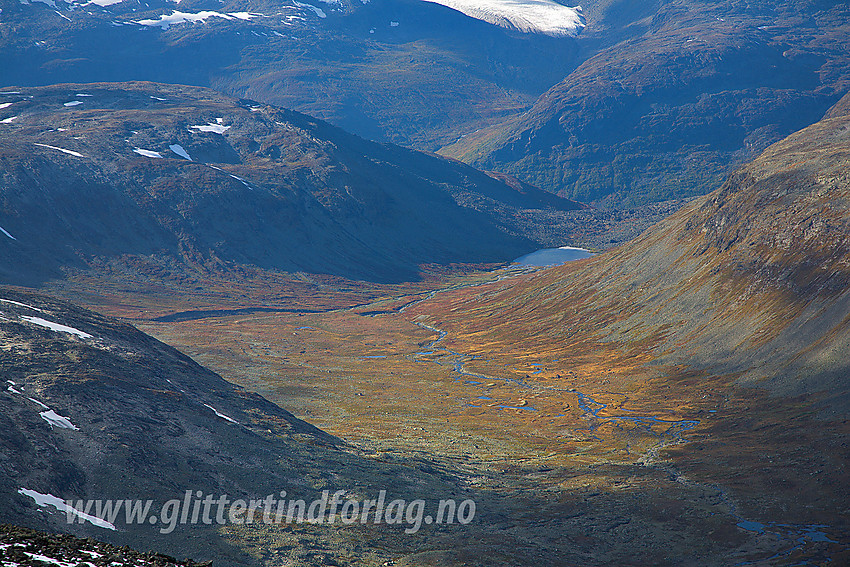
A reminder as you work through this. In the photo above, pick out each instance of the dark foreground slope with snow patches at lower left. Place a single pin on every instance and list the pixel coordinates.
(92, 408)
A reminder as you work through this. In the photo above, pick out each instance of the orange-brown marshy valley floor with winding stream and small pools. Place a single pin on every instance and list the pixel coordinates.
(584, 454)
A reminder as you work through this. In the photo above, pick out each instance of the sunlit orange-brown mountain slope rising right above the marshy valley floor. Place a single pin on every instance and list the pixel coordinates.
(751, 281)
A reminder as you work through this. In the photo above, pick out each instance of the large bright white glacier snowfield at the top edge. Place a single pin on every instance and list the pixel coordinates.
(529, 16)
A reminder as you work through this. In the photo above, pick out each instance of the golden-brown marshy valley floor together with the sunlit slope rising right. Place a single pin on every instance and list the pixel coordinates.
(656, 404)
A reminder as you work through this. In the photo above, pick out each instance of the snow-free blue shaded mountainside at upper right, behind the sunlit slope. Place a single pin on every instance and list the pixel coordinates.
(695, 90)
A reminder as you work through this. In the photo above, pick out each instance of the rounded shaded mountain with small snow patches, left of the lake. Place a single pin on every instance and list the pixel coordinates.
(172, 177)
